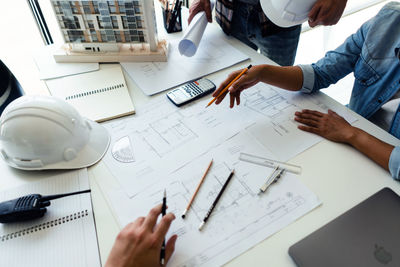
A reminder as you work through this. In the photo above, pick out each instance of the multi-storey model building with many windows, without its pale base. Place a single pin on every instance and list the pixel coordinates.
(103, 25)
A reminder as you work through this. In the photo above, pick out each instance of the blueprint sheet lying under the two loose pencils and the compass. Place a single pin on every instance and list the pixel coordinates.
(240, 220)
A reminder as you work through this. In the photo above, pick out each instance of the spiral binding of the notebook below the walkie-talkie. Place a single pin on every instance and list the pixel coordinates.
(45, 225)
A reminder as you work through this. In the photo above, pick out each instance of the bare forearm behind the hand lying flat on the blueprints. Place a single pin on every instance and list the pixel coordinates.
(372, 147)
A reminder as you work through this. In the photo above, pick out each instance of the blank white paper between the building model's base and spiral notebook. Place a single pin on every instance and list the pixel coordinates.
(50, 69)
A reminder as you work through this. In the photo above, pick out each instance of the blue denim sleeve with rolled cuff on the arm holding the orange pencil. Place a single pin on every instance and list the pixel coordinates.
(336, 64)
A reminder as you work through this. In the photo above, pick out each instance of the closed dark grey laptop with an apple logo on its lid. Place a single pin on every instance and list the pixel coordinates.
(366, 235)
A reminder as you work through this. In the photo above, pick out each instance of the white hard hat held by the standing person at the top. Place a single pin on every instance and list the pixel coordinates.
(287, 13)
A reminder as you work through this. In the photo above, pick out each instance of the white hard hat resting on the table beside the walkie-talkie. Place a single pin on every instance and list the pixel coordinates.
(43, 132)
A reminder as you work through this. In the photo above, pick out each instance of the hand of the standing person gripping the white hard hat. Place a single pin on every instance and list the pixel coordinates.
(326, 12)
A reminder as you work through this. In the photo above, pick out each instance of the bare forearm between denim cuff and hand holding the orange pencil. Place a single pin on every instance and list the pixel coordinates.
(289, 78)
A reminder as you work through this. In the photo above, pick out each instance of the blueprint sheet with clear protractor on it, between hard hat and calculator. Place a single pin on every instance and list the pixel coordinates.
(161, 137)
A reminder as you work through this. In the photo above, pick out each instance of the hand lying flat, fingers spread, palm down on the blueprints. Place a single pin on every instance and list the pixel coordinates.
(328, 125)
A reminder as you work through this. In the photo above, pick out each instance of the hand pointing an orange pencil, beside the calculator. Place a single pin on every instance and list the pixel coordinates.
(248, 79)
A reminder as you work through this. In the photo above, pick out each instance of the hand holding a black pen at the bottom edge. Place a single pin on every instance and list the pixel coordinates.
(139, 243)
